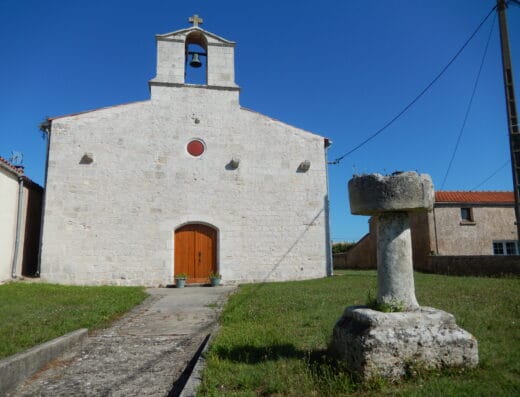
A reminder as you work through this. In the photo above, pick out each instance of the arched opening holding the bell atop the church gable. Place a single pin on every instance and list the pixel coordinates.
(196, 59)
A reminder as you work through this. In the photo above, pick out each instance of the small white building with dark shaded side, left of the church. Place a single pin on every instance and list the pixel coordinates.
(20, 219)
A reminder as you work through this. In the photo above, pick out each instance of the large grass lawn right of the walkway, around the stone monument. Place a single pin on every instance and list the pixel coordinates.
(274, 336)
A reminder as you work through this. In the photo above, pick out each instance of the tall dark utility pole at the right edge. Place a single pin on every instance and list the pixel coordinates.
(512, 116)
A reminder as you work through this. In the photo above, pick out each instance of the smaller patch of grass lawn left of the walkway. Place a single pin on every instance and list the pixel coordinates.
(33, 313)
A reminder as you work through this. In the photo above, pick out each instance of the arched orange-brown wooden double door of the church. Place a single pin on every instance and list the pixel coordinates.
(195, 252)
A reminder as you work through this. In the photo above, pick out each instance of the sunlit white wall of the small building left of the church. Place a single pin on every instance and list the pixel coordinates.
(8, 211)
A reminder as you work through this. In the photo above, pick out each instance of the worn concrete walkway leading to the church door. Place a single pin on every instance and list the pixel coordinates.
(142, 354)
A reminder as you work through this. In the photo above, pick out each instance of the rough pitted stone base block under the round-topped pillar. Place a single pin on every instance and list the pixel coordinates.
(375, 344)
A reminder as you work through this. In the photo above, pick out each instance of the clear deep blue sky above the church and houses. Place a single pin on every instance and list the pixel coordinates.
(339, 68)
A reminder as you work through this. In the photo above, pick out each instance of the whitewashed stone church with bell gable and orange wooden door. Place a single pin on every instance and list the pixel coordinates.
(185, 182)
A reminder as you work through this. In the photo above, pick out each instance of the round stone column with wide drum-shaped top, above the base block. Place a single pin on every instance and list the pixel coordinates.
(389, 199)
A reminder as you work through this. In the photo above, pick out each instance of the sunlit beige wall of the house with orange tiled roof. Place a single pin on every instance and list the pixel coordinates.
(490, 223)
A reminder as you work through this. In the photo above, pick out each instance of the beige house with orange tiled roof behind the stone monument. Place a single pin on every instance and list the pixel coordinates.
(461, 224)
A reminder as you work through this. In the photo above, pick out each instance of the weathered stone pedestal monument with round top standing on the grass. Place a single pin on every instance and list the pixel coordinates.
(373, 343)
